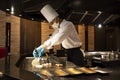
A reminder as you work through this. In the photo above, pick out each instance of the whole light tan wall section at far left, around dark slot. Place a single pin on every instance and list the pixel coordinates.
(15, 32)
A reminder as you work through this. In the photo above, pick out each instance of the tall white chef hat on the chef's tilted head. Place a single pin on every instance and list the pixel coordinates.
(49, 13)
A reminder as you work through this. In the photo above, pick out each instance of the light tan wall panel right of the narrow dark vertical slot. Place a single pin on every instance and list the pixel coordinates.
(15, 34)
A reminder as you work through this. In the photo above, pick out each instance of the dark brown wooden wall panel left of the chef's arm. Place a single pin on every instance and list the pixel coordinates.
(30, 35)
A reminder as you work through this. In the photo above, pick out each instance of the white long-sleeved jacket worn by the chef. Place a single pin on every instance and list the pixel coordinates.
(66, 34)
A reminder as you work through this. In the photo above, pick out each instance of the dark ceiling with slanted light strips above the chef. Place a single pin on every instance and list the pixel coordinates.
(77, 11)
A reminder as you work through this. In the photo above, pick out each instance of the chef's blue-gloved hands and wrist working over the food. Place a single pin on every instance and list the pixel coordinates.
(39, 51)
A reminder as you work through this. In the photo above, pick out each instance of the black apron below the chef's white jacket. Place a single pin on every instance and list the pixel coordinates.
(75, 55)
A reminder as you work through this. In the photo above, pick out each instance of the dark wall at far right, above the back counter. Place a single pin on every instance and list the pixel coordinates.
(107, 38)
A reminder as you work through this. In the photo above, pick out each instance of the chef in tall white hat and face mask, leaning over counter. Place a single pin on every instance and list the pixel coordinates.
(65, 34)
